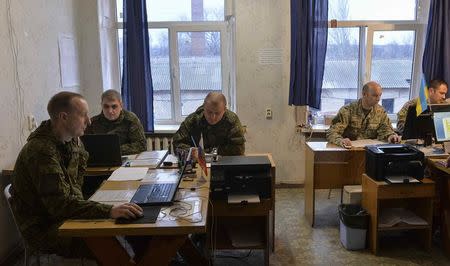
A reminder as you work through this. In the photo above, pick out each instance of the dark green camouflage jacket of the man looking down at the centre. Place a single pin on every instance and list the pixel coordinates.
(227, 135)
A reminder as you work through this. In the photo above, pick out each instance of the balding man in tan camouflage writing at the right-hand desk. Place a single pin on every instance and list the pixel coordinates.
(363, 119)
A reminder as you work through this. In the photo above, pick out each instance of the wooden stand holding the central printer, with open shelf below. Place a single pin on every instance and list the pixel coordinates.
(256, 220)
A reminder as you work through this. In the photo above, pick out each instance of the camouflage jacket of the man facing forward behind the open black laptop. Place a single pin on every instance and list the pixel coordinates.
(127, 126)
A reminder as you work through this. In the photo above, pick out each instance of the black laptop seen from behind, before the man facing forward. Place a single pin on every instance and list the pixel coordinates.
(103, 149)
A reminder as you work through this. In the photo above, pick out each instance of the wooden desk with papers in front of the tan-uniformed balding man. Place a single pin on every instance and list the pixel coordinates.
(327, 167)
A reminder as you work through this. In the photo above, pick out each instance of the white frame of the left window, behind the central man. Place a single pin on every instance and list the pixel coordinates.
(227, 33)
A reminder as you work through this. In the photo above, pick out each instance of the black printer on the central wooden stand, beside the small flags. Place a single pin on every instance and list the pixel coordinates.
(240, 175)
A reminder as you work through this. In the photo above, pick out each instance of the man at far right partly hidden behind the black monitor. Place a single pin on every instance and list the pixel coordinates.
(436, 94)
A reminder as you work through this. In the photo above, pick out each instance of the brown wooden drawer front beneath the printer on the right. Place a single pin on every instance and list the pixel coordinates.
(406, 191)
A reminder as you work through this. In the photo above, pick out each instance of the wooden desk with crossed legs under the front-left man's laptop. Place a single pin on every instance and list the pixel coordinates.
(168, 235)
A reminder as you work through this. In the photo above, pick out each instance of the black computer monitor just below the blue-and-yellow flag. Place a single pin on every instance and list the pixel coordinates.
(418, 127)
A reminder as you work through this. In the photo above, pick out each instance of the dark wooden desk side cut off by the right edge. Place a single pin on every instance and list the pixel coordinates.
(441, 175)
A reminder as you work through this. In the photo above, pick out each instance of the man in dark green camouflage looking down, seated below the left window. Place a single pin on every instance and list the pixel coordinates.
(219, 127)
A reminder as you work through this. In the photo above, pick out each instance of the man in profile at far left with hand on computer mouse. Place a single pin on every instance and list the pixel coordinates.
(47, 179)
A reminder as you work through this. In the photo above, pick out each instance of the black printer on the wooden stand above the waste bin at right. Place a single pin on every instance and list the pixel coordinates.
(394, 160)
